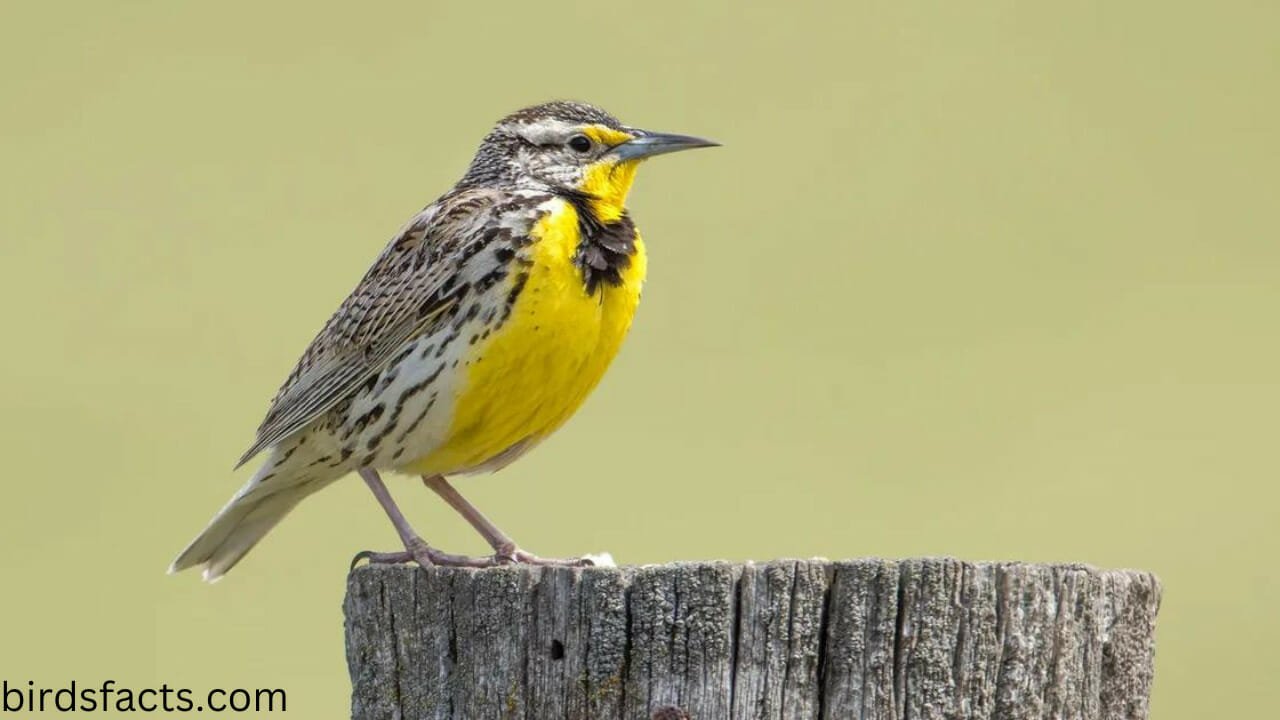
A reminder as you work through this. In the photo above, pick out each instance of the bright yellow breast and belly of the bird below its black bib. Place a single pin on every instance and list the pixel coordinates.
(531, 376)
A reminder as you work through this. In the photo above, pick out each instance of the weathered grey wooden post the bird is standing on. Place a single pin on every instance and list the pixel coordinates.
(871, 640)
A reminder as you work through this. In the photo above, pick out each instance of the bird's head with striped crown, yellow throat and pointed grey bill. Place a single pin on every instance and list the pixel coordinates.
(570, 147)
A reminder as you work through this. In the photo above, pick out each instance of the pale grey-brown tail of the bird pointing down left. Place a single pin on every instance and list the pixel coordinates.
(244, 522)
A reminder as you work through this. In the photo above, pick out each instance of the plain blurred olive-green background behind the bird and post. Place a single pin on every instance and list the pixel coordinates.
(998, 281)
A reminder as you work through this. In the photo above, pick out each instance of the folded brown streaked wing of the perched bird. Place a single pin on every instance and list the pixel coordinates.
(405, 294)
